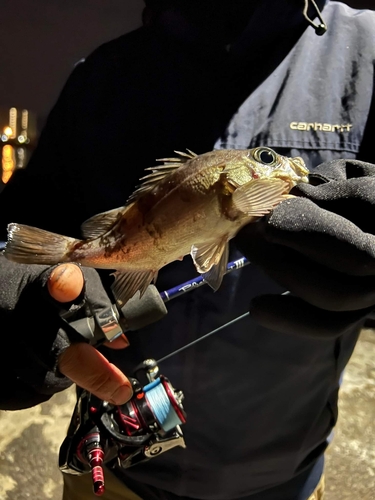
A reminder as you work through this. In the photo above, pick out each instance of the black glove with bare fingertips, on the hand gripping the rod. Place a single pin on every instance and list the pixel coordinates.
(35, 330)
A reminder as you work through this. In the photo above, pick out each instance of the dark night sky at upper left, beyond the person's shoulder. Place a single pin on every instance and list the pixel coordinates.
(40, 40)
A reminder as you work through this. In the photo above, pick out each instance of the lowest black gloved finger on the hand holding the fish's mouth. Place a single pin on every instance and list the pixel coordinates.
(291, 315)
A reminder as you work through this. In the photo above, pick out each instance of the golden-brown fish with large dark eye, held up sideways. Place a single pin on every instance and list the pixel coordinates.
(189, 204)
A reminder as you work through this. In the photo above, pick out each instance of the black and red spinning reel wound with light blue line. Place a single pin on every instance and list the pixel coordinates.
(144, 427)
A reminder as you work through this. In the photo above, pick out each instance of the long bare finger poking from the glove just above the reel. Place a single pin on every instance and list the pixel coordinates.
(89, 369)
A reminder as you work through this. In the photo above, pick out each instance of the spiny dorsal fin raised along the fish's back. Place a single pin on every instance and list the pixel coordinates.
(160, 172)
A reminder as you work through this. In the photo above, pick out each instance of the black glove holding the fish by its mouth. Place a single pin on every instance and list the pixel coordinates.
(321, 247)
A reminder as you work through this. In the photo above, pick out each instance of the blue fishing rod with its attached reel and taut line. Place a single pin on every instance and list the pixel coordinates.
(149, 423)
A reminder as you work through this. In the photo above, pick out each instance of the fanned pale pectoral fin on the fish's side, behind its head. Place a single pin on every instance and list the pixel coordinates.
(259, 197)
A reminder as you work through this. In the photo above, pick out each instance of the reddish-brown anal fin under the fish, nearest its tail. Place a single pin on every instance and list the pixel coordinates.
(126, 284)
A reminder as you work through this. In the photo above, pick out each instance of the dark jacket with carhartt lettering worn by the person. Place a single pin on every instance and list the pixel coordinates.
(260, 404)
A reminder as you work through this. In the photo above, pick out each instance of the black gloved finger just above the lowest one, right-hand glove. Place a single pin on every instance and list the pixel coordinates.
(315, 283)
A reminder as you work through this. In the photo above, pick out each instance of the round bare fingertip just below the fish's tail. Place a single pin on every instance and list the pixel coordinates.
(65, 283)
